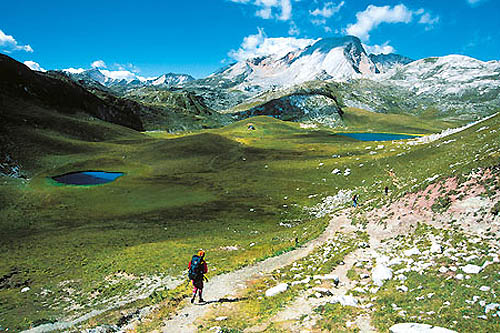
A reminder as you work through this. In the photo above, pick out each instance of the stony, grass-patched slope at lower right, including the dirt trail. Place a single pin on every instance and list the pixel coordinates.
(365, 273)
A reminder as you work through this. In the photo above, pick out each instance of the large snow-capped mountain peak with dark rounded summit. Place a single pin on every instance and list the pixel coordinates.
(337, 59)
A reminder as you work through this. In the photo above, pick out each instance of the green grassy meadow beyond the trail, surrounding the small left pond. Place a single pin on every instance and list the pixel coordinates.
(80, 248)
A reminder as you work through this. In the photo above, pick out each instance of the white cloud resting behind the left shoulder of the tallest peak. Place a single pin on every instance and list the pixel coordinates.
(260, 45)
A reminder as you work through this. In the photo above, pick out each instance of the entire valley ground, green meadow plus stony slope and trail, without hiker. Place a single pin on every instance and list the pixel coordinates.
(425, 252)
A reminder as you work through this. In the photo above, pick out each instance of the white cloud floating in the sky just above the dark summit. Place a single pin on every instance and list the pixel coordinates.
(372, 16)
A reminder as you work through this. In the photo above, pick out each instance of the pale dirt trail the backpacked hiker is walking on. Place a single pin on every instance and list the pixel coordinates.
(224, 287)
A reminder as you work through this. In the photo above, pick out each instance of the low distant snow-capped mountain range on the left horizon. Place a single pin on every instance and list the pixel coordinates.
(126, 78)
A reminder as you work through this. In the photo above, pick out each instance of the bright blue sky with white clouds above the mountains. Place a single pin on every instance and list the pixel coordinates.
(199, 36)
